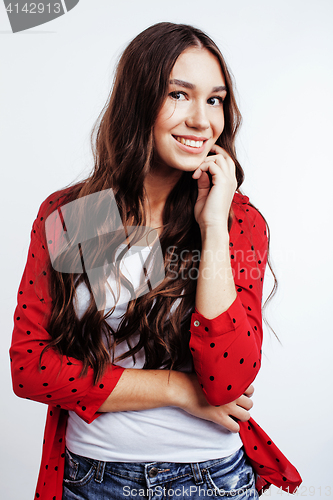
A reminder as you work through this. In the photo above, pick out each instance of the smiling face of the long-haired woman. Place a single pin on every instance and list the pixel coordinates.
(191, 118)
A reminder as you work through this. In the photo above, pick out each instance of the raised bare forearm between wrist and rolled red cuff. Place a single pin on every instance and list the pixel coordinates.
(215, 286)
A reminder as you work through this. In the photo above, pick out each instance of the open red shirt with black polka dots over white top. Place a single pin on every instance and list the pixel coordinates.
(226, 352)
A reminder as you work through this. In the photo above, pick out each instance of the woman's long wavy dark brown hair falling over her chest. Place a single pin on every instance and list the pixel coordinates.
(122, 143)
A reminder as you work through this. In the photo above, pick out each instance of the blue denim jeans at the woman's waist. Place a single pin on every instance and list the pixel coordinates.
(228, 477)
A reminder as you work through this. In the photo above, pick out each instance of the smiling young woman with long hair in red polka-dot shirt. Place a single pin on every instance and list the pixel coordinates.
(148, 381)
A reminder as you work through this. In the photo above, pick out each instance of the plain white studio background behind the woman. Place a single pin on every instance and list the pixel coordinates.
(55, 80)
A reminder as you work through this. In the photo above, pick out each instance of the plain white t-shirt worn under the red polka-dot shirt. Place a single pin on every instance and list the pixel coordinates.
(166, 434)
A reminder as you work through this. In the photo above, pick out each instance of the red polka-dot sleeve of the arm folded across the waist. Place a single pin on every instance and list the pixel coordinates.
(57, 382)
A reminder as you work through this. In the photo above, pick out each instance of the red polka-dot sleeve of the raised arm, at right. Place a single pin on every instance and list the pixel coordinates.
(226, 350)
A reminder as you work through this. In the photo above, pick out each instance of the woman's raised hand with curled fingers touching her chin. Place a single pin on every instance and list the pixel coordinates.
(213, 203)
